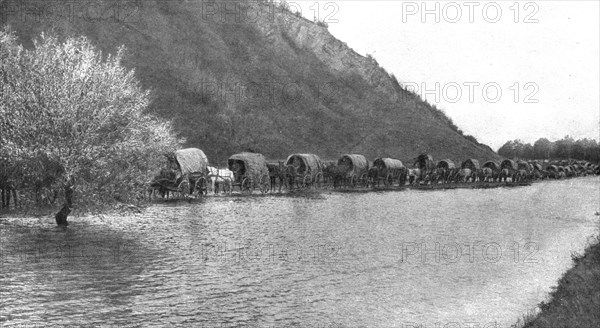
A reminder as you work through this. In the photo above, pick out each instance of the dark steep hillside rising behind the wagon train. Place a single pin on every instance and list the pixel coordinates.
(277, 84)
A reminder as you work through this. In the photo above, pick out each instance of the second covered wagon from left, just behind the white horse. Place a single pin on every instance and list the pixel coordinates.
(250, 172)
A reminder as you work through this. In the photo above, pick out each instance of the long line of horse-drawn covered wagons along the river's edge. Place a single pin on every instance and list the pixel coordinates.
(187, 173)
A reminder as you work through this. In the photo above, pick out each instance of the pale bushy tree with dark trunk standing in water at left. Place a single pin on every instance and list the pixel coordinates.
(62, 102)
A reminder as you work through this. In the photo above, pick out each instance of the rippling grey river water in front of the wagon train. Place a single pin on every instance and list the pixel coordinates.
(376, 259)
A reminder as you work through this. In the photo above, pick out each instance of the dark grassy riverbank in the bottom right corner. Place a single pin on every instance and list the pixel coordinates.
(574, 303)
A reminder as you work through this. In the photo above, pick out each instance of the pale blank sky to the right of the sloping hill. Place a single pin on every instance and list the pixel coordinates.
(502, 70)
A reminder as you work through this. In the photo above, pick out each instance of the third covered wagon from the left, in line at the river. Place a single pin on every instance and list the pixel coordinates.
(306, 169)
